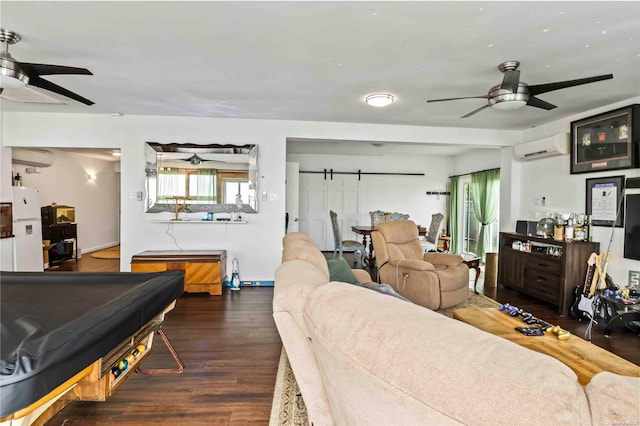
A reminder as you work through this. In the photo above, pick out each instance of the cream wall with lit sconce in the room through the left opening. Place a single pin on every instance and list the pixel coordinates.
(66, 182)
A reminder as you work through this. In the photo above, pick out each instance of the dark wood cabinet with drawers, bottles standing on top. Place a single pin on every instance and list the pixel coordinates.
(546, 269)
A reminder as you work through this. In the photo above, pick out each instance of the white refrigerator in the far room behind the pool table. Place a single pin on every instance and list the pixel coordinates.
(27, 228)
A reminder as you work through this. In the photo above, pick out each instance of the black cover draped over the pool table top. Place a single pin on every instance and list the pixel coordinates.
(56, 324)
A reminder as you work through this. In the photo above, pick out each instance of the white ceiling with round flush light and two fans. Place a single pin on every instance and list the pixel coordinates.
(316, 61)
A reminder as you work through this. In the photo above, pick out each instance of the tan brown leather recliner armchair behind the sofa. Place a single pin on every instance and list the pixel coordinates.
(432, 280)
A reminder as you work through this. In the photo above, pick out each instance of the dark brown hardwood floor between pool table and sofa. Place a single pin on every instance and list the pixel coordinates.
(230, 347)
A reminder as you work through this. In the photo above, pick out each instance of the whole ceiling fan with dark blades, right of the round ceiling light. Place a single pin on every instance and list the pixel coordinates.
(513, 94)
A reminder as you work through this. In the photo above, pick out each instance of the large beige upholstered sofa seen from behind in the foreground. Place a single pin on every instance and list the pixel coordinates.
(361, 357)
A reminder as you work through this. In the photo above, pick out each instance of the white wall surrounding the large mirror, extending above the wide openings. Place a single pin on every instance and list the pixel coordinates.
(257, 245)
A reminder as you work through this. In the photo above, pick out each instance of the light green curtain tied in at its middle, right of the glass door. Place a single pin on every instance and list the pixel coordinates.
(485, 193)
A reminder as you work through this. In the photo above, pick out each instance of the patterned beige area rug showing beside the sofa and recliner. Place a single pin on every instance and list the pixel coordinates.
(288, 407)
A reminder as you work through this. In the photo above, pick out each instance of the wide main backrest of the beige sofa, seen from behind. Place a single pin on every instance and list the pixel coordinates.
(419, 367)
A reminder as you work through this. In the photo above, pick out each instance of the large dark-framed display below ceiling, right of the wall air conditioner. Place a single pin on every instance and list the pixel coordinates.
(607, 141)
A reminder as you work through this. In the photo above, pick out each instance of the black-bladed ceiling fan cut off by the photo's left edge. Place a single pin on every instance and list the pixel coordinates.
(16, 75)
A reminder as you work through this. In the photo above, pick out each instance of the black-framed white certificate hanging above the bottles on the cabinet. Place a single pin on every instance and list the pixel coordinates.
(605, 202)
